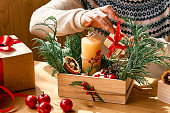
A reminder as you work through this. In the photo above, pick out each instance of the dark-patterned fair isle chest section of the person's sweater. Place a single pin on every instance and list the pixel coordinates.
(155, 13)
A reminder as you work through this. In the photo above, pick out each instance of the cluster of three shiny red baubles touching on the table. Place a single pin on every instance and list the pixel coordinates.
(43, 101)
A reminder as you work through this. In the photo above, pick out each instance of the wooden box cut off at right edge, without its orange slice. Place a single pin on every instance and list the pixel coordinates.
(163, 92)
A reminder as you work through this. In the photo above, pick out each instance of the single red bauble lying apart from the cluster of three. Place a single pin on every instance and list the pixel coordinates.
(66, 105)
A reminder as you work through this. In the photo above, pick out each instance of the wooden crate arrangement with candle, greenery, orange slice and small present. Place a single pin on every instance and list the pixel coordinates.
(84, 73)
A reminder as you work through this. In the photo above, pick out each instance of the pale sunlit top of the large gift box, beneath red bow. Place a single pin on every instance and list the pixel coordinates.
(19, 49)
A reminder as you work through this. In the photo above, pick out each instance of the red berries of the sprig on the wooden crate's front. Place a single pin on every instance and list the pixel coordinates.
(90, 90)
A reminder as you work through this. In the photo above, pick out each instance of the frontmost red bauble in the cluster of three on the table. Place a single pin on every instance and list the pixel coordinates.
(44, 107)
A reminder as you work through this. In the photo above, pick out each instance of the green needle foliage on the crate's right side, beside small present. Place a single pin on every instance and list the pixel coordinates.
(142, 51)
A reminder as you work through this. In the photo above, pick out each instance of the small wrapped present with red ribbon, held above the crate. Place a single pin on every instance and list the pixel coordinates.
(112, 41)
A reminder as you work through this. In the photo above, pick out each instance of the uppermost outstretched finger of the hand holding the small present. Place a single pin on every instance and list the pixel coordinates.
(108, 9)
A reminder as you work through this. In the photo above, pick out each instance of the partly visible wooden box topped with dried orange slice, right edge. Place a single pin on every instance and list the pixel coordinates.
(164, 87)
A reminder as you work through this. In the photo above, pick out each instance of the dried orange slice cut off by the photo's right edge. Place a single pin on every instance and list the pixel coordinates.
(166, 77)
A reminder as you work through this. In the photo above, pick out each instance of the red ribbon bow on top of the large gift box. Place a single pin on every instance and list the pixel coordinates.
(6, 42)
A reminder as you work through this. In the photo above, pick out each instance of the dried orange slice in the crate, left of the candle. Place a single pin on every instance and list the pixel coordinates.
(71, 65)
